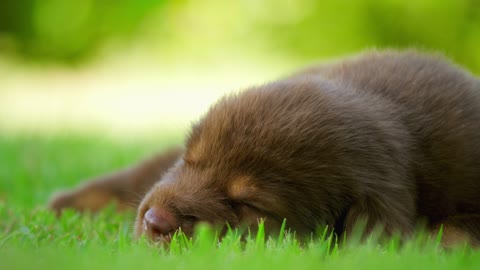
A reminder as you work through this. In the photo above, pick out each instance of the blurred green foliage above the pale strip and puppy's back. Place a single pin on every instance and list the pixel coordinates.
(72, 31)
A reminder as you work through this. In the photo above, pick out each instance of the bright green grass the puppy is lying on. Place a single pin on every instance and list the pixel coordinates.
(31, 167)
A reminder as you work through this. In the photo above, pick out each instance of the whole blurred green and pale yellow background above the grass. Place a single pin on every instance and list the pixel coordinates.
(61, 62)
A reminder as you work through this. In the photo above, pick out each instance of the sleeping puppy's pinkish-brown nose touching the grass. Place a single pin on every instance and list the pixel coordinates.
(159, 222)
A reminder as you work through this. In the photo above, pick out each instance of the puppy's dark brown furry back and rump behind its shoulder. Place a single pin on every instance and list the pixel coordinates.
(440, 106)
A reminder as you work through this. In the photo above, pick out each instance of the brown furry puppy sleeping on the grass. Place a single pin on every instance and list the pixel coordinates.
(389, 138)
